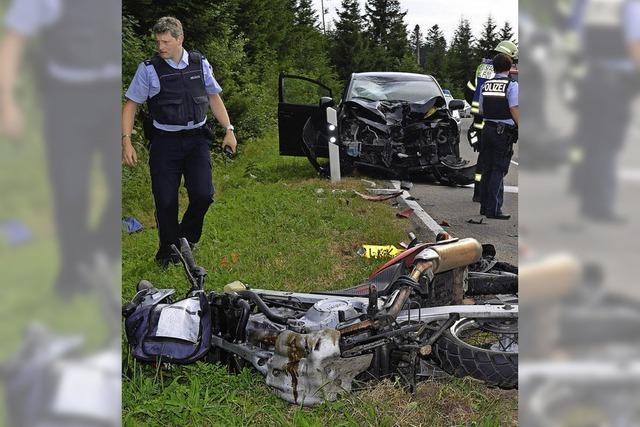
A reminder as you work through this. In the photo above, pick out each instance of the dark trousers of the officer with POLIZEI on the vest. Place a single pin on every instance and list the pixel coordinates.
(498, 150)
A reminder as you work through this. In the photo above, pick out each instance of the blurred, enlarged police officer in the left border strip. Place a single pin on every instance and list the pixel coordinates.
(76, 63)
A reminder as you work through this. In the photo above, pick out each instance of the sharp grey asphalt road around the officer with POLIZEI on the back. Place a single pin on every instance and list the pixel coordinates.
(454, 206)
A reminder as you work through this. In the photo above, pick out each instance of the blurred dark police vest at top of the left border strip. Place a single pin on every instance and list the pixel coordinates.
(85, 37)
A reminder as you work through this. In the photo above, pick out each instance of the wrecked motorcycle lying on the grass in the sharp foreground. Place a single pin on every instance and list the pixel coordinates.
(443, 306)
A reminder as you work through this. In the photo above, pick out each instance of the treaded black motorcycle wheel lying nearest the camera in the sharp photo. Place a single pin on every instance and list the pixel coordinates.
(485, 349)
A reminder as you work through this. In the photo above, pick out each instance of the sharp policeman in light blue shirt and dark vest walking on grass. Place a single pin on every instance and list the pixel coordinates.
(179, 88)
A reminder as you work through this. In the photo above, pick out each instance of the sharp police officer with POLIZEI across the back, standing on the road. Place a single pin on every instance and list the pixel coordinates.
(499, 106)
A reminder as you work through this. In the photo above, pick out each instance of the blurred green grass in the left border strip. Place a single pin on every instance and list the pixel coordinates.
(28, 269)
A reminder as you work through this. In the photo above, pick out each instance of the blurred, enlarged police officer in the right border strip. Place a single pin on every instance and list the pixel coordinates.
(607, 38)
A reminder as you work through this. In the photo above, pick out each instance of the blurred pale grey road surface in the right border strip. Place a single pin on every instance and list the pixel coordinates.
(551, 220)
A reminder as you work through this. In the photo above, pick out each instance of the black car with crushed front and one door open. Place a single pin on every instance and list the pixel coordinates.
(394, 124)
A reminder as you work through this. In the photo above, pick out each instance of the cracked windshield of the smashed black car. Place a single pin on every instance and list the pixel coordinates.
(385, 89)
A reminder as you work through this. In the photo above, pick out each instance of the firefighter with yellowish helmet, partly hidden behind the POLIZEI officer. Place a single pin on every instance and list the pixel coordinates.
(472, 95)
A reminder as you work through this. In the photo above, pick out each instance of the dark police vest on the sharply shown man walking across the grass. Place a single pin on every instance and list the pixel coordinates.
(183, 97)
